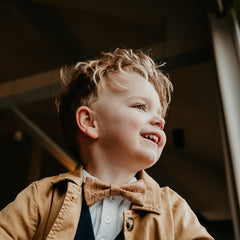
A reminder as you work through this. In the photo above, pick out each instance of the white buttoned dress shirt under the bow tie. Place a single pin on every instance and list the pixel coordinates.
(107, 214)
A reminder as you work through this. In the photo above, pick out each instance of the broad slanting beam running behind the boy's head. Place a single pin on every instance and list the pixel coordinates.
(45, 85)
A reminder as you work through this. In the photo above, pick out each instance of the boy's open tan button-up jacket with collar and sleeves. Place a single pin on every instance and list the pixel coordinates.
(50, 209)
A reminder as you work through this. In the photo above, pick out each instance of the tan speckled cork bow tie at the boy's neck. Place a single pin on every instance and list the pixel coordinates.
(95, 190)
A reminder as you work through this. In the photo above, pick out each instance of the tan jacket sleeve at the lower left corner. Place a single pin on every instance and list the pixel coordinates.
(18, 220)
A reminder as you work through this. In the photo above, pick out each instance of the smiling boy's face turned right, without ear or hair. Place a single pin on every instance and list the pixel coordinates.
(130, 123)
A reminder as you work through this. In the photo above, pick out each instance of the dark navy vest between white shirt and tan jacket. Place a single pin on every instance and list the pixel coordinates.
(85, 227)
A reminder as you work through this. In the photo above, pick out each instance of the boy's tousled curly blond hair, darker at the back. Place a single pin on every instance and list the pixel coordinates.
(82, 82)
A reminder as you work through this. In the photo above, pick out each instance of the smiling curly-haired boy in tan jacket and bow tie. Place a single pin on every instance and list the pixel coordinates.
(112, 112)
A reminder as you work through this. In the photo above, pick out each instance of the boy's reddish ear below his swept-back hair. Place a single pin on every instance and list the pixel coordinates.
(86, 121)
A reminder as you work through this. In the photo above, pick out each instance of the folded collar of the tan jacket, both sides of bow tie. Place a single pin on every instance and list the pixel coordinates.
(152, 201)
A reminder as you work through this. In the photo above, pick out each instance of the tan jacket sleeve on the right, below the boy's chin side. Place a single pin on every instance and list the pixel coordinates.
(186, 224)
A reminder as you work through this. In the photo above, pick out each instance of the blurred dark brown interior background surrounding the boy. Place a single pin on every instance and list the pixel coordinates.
(38, 37)
